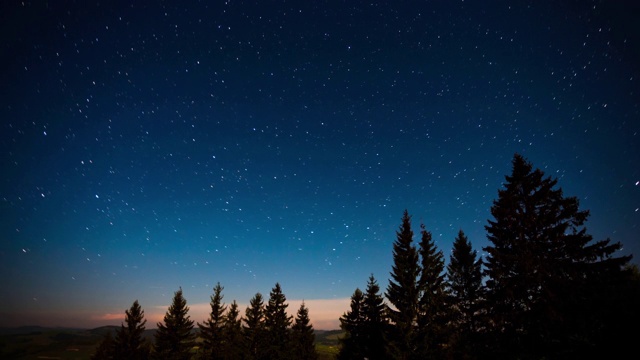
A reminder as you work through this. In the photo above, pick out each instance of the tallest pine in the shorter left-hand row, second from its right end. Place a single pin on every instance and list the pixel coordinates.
(277, 324)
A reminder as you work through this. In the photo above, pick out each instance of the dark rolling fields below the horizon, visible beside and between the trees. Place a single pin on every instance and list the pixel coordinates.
(27, 343)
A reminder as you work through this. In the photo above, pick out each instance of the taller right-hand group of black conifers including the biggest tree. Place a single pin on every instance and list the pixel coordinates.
(544, 289)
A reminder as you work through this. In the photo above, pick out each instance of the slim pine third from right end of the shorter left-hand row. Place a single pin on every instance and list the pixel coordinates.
(254, 331)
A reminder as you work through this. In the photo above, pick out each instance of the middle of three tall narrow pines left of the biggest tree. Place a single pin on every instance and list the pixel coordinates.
(432, 317)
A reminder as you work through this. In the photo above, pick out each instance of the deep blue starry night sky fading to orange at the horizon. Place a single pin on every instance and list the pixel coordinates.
(170, 144)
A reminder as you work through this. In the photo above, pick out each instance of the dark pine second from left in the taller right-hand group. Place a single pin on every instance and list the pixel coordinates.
(375, 324)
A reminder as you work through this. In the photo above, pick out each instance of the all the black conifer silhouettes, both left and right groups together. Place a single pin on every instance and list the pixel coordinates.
(544, 290)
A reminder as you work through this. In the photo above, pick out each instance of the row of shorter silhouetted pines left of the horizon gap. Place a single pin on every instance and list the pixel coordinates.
(265, 332)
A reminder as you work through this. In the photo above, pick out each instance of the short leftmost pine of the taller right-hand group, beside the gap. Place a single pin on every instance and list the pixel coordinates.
(352, 322)
